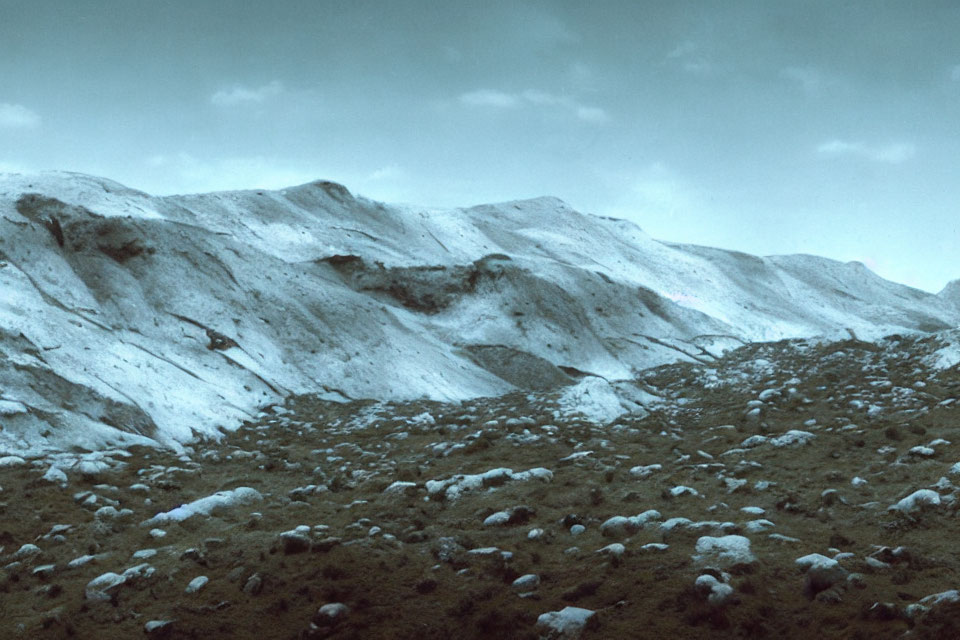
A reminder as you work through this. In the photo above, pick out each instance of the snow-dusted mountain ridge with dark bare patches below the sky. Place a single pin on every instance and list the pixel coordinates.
(125, 316)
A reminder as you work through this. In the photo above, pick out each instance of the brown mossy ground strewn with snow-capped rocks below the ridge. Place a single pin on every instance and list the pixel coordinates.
(792, 490)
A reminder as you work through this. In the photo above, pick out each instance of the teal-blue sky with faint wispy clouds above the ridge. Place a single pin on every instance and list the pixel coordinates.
(810, 126)
